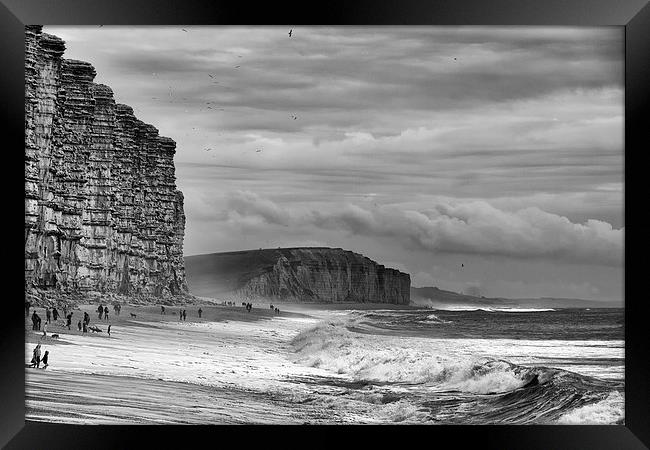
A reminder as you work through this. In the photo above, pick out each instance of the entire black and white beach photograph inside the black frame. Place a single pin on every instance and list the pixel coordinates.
(327, 225)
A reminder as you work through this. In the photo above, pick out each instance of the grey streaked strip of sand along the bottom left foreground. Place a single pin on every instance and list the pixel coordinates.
(105, 399)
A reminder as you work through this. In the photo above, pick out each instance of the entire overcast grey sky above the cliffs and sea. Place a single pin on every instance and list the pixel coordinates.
(485, 160)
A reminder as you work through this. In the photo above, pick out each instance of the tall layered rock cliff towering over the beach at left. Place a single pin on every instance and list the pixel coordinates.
(102, 212)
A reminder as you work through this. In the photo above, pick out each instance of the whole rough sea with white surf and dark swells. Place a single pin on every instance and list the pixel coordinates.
(475, 366)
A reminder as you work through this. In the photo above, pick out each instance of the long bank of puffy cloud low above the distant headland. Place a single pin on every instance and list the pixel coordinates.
(456, 227)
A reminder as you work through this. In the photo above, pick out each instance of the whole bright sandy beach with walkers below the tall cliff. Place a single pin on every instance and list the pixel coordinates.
(230, 366)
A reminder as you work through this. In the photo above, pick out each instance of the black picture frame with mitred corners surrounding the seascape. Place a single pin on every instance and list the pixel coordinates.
(634, 15)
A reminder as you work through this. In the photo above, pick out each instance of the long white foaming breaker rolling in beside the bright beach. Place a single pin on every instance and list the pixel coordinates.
(331, 346)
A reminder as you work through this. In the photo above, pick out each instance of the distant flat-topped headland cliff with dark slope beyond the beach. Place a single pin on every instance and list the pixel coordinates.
(296, 274)
